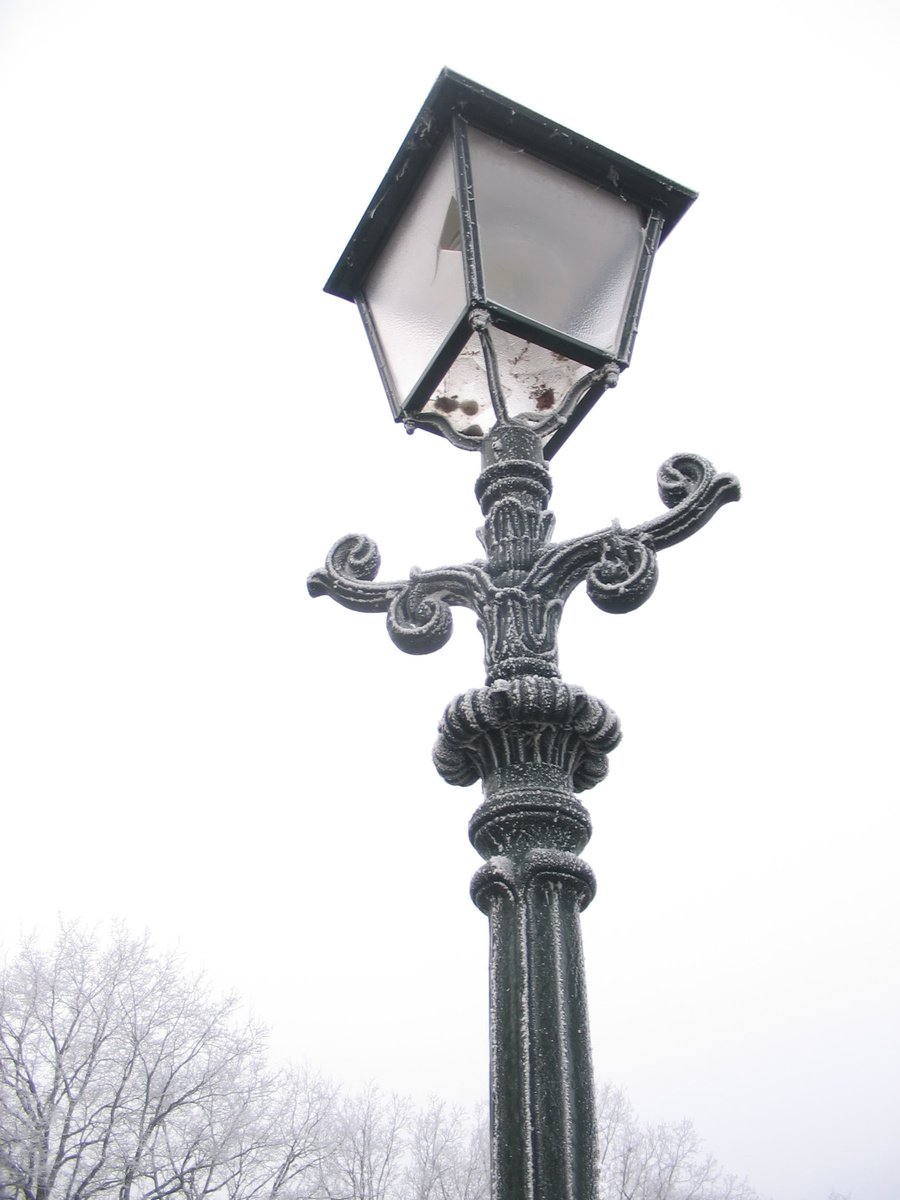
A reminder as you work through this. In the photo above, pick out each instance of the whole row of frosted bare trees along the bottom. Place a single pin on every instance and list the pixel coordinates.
(123, 1078)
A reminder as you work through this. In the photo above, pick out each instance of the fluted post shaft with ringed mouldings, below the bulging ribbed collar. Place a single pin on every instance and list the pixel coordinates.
(533, 889)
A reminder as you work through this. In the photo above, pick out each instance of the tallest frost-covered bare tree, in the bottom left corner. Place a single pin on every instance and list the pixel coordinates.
(123, 1078)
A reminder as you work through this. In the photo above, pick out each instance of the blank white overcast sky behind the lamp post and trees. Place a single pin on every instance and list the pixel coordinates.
(188, 424)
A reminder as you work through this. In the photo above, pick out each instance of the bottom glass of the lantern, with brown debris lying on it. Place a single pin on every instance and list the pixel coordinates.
(535, 381)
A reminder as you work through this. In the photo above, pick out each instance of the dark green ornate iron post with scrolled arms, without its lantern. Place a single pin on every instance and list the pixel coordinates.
(535, 742)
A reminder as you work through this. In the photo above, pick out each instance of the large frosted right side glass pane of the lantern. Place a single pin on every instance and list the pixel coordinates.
(555, 248)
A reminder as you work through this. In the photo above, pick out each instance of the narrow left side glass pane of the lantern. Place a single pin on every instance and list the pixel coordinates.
(417, 291)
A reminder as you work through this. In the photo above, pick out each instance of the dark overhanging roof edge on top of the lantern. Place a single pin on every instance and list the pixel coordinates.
(454, 94)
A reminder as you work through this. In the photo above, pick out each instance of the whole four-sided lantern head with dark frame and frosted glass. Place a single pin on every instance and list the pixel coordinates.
(500, 236)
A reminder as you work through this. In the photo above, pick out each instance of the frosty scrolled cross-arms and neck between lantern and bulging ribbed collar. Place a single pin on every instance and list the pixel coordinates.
(519, 593)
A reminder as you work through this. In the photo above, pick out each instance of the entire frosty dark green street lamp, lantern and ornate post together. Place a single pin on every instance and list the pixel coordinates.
(500, 272)
